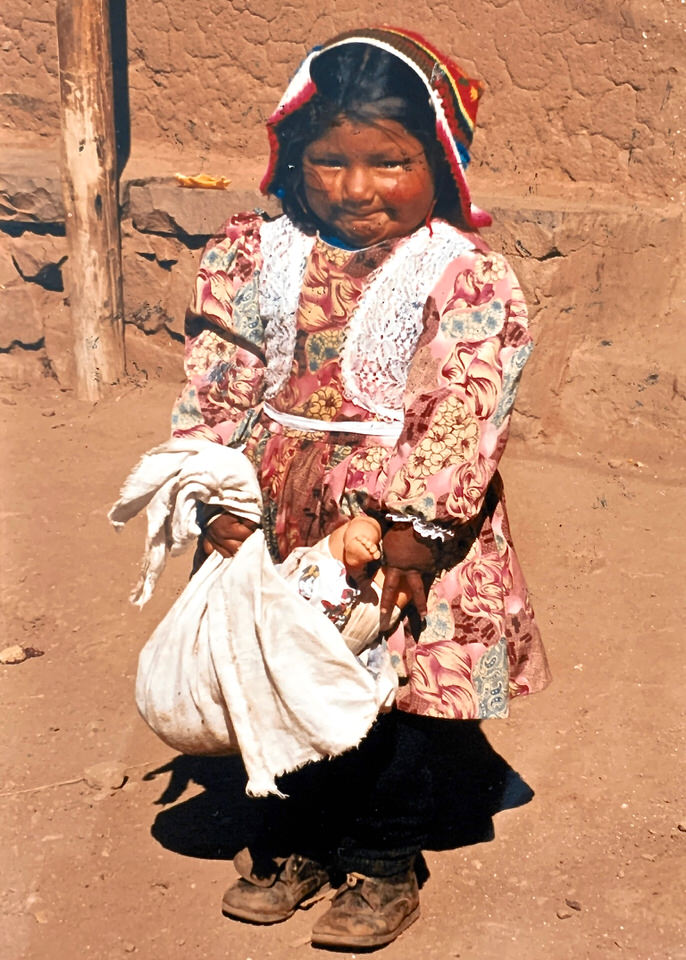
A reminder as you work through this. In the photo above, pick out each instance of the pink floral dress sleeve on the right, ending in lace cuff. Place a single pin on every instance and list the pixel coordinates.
(460, 391)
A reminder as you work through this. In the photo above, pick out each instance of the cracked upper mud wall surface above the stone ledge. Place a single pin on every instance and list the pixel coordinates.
(577, 90)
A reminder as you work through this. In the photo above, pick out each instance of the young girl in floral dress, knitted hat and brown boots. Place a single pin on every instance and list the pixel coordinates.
(365, 349)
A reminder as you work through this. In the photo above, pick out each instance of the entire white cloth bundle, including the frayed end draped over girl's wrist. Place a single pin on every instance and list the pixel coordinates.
(241, 661)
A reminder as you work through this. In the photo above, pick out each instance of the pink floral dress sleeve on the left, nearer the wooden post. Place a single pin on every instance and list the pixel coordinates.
(224, 361)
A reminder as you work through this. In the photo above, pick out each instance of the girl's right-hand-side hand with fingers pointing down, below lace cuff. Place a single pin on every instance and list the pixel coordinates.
(408, 558)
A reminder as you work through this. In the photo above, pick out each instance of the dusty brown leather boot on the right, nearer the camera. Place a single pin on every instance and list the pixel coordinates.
(368, 911)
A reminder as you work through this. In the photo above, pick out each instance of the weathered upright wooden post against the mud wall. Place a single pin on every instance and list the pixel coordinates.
(89, 186)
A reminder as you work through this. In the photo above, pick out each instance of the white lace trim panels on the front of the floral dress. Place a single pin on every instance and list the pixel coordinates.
(385, 326)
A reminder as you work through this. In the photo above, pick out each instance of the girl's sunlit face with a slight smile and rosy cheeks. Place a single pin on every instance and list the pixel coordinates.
(368, 181)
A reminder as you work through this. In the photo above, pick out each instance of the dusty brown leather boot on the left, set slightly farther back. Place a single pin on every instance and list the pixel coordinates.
(272, 892)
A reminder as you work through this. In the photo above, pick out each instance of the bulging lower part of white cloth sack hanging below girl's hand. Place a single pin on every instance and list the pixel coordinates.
(242, 663)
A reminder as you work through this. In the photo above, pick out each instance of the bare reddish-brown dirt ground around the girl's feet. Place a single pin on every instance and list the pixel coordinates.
(593, 866)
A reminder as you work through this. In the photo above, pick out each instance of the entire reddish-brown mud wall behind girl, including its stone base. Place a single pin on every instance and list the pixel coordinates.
(577, 155)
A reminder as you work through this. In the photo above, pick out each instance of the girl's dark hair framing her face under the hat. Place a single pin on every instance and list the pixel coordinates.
(364, 84)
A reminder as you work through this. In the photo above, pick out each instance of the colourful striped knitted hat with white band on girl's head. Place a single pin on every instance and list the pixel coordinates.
(452, 94)
